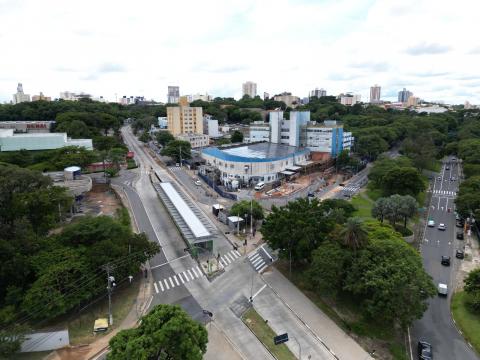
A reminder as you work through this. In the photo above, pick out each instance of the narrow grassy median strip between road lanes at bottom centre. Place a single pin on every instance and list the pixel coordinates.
(265, 334)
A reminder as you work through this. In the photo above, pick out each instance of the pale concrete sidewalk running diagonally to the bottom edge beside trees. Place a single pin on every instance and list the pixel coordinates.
(342, 345)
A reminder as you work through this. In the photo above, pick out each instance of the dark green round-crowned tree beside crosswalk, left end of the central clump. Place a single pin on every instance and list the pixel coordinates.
(297, 228)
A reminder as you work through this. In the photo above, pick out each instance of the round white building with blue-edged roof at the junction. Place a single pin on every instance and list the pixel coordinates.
(258, 162)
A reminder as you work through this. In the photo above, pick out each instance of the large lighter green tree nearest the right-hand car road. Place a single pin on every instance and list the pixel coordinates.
(389, 279)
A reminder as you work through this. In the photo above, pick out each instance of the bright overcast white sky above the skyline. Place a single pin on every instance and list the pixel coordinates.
(139, 47)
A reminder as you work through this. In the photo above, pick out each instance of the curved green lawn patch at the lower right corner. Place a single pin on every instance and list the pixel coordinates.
(468, 322)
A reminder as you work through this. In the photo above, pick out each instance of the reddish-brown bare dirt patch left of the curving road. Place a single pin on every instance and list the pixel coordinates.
(101, 200)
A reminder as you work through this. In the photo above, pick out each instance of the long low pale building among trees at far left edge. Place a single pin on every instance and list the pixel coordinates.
(9, 141)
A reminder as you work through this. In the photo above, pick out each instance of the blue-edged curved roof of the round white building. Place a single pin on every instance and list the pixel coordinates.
(257, 152)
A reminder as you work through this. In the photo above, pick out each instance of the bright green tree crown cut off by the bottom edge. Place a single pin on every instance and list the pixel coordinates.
(167, 332)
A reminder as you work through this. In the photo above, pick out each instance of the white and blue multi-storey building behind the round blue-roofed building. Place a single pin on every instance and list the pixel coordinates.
(299, 131)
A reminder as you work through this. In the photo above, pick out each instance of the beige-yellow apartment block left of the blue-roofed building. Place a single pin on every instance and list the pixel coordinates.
(184, 119)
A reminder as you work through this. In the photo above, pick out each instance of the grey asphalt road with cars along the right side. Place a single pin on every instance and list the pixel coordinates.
(436, 325)
